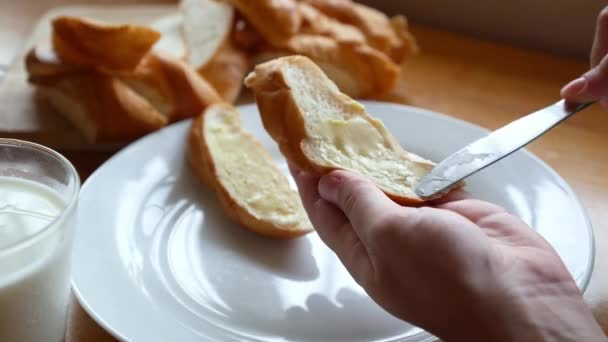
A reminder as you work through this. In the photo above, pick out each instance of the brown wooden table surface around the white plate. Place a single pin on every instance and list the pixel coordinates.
(481, 82)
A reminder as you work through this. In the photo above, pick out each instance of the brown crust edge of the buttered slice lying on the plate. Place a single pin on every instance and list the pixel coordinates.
(202, 161)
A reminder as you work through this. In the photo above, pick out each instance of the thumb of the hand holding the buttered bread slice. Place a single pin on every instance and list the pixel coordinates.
(362, 201)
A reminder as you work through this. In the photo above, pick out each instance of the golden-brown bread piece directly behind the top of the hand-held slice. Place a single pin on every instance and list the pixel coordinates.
(359, 70)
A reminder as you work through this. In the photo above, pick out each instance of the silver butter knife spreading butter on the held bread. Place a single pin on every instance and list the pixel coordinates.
(494, 147)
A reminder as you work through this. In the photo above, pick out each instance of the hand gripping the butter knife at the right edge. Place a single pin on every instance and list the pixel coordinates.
(593, 85)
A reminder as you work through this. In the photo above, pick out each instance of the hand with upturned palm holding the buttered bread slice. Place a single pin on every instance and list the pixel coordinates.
(463, 269)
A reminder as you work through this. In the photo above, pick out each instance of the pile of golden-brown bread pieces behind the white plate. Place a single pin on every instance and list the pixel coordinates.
(114, 84)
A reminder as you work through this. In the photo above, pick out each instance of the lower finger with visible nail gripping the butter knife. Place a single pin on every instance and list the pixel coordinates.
(592, 86)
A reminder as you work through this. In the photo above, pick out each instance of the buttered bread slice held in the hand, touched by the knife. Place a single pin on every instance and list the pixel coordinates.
(320, 129)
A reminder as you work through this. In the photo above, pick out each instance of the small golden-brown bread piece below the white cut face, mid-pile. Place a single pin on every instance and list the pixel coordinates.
(226, 71)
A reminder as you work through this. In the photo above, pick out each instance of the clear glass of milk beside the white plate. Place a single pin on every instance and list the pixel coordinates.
(38, 197)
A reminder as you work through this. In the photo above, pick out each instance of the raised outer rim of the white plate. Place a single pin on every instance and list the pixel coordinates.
(418, 111)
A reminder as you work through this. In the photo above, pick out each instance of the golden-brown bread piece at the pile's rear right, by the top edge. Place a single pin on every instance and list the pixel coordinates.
(390, 36)
